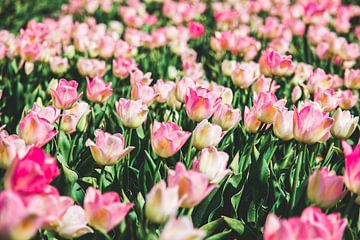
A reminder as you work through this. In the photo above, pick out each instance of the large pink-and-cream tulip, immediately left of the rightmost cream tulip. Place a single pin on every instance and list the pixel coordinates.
(311, 125)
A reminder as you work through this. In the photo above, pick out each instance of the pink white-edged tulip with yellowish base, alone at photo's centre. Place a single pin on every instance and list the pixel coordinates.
(167, 138)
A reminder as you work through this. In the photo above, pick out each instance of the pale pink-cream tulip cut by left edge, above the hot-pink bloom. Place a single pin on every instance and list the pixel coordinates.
(11, 147)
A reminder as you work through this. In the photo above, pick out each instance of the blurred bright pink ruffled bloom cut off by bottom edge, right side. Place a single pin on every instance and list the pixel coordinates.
(313, 224)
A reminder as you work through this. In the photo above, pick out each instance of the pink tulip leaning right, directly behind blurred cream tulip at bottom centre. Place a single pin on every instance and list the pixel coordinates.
(193, 186)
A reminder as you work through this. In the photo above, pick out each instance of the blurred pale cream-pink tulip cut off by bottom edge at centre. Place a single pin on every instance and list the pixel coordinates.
(181, 229)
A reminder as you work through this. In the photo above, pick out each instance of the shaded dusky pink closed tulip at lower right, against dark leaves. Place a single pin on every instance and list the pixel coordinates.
(325, 189)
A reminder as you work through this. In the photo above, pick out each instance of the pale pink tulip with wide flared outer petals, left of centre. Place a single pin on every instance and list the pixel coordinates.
(108, 148)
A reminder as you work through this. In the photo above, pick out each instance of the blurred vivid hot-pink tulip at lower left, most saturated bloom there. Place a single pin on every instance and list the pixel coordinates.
(32, 173)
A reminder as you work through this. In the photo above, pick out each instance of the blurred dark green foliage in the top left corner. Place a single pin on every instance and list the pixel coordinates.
(15, 14)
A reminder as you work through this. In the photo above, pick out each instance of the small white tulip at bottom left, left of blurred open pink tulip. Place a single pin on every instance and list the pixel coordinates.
(73, 223)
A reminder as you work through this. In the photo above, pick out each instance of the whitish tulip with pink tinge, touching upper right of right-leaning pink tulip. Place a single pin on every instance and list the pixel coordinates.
(213, 163)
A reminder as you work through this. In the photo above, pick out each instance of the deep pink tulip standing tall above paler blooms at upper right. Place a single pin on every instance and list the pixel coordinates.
(274, 63)
